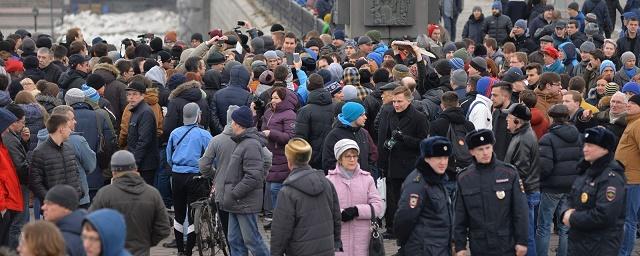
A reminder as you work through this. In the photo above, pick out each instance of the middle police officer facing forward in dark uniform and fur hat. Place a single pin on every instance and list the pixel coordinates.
(491, 207)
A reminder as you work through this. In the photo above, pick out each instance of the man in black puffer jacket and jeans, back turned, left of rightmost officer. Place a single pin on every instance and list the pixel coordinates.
(560, 152)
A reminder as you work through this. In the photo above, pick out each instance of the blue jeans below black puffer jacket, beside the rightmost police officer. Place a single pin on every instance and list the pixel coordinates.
(550, 204)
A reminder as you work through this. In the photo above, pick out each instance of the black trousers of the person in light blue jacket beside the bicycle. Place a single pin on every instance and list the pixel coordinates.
(182, 196)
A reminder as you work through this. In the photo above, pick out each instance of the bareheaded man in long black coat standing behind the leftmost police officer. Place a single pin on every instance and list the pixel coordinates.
(401, 129)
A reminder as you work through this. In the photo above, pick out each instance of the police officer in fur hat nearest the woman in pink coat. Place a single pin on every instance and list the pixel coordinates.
(425, 212)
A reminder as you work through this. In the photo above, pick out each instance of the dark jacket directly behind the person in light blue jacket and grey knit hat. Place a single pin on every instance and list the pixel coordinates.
(182, 95)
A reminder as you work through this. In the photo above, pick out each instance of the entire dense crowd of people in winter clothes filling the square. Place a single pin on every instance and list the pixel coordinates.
(527, 125)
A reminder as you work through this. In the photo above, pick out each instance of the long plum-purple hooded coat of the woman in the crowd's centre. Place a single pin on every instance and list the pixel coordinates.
(281, 123)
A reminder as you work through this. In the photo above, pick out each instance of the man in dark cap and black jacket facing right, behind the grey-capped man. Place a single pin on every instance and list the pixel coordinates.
(142, 140)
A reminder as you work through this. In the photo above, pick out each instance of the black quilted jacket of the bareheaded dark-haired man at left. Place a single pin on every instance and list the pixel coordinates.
(52, 165)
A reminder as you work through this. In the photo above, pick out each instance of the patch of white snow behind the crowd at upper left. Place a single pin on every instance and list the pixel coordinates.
(114, 27)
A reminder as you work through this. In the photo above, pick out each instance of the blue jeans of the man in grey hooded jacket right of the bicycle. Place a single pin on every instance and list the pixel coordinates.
(244, 235)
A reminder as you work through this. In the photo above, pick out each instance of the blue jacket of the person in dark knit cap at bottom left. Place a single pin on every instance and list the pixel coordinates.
(71, 227)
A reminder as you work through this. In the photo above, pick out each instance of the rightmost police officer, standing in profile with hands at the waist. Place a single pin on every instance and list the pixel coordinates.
(595, 208)
